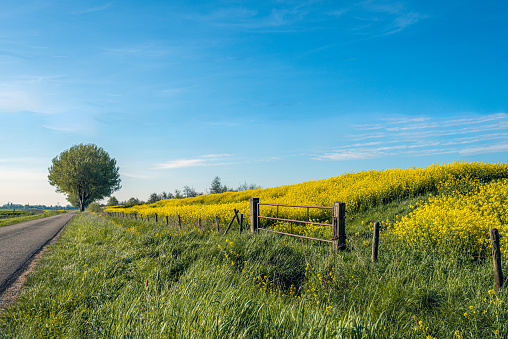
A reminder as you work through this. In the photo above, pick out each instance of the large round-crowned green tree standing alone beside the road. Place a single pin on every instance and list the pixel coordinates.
(85, 172)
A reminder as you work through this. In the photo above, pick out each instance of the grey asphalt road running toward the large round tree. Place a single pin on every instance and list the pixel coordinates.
(19, 242)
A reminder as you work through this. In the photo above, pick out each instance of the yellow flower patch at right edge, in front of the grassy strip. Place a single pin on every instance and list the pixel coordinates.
(459, 220)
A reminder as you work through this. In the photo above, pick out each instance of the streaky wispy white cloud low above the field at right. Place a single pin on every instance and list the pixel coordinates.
(404, 136)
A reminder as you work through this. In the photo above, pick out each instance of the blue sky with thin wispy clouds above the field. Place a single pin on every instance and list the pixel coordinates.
(264, 92)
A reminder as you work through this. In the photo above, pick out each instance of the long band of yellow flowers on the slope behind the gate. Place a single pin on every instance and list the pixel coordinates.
(359, 190)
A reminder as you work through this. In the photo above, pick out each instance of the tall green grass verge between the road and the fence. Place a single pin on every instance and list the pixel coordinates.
(120, 278)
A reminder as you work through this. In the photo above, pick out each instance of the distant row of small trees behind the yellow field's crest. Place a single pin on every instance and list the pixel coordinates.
(187, 192)
